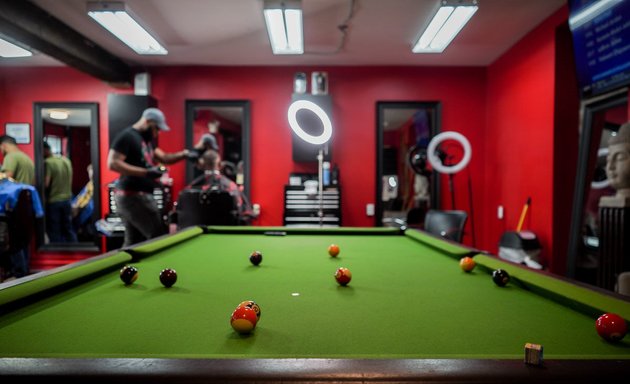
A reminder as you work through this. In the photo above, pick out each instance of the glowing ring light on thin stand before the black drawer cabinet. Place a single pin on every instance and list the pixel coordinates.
(315, 140)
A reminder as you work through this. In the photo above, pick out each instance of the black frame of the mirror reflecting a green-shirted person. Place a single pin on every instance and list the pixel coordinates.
(38, 136)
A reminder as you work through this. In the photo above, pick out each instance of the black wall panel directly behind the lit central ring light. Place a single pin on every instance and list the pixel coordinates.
(304, 152)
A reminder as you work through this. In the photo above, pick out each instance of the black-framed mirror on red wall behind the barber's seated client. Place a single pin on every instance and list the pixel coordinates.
(228, 122)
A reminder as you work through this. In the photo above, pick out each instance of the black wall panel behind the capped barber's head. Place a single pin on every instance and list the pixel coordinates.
(125, 110)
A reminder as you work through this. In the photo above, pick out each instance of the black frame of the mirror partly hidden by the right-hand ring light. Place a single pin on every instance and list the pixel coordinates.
(435, 129)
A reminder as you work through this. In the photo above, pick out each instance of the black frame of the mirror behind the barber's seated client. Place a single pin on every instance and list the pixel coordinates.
(191, 105)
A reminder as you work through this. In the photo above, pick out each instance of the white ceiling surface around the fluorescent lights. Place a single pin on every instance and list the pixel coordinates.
(232, 32)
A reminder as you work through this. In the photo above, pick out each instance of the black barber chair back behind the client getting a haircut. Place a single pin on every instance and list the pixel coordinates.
(209, 207)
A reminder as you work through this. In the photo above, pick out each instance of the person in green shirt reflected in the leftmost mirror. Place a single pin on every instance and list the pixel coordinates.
(58, 182)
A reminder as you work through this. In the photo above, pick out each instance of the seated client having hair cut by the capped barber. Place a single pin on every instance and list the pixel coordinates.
(210, 163)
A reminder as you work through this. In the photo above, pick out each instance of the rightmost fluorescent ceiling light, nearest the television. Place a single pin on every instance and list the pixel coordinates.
(445, 25)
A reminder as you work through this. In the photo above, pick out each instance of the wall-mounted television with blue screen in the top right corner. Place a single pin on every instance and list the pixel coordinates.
(601, 44)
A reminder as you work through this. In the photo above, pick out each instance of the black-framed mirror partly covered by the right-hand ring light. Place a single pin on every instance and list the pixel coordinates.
(402, 195)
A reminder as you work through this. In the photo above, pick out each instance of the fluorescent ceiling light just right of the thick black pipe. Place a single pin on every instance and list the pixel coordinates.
(118, 20)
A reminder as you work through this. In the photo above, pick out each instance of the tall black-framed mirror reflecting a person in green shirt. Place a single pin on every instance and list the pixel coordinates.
(66, 139)
